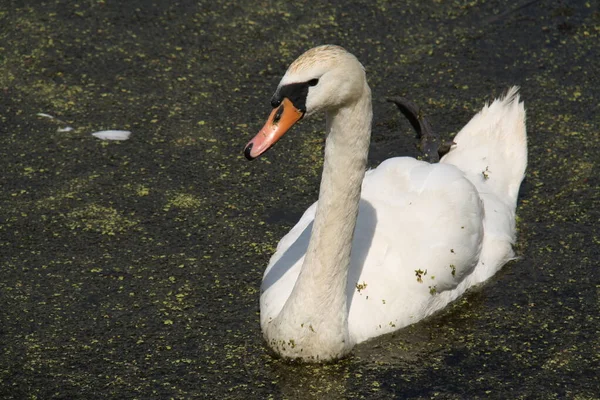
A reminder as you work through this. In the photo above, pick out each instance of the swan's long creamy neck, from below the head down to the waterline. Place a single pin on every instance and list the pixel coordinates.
(314, 320)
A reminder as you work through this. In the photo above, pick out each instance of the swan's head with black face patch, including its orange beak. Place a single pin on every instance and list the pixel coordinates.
(325, 78)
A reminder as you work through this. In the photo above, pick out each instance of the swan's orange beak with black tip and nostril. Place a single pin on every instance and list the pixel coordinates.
(282, 118)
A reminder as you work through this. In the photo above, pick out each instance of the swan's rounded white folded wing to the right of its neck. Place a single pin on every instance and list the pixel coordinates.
(418, 238)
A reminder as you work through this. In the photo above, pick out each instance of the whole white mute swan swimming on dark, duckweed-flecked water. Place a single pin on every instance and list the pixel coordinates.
(383, 249)
